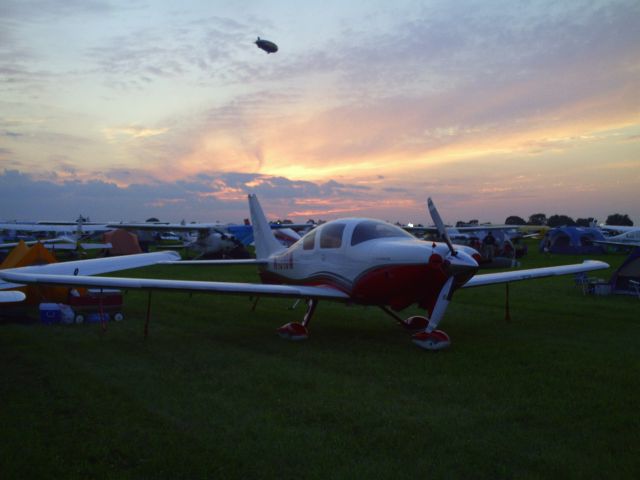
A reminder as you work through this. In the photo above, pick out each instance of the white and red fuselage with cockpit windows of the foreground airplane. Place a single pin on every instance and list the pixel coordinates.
(374, 262)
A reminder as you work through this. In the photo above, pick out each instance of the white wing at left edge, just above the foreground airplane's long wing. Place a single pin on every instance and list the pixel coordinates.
(87, 267)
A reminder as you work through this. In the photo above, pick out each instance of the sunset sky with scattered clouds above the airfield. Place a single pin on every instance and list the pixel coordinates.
(124, 110)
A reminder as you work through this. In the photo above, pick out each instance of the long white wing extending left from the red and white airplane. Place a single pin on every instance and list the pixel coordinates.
(175, 285)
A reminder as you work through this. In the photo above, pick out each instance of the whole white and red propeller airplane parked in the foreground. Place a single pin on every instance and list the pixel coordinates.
(355, 260)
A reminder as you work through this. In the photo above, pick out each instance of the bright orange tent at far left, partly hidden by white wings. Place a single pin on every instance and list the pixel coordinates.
(23, 256)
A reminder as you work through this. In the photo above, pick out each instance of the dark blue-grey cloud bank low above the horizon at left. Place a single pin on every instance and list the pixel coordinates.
(202, 198)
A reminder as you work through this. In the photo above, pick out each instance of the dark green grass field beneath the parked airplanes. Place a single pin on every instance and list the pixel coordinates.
(214, 393)
